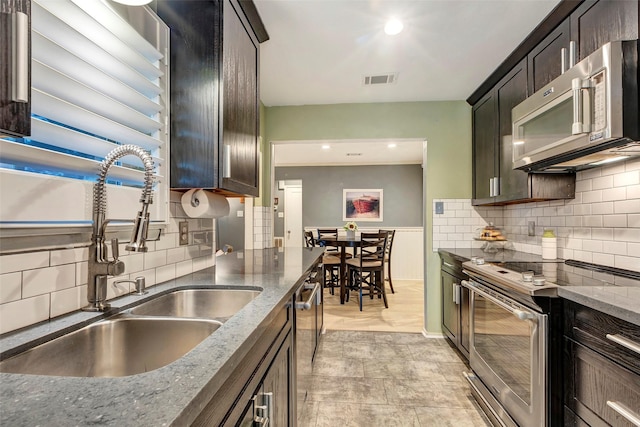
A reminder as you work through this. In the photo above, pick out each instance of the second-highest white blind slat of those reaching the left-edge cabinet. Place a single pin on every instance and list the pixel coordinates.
(48, 52)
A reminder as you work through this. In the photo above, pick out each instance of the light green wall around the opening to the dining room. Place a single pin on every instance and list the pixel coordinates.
(445, 125)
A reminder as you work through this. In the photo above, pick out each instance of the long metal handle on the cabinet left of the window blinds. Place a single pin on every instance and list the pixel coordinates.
(20, 57)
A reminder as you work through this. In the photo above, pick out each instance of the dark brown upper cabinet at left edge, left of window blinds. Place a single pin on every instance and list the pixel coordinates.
(15, 67)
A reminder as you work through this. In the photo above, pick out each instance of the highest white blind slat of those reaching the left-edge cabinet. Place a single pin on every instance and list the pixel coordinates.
(64, 35)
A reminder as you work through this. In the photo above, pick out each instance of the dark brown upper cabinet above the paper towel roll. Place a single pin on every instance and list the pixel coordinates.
(214, 94)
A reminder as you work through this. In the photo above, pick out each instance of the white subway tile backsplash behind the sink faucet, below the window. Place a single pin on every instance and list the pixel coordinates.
(35, 286)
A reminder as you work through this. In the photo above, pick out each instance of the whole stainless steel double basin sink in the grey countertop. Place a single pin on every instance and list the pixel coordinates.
(146, 337)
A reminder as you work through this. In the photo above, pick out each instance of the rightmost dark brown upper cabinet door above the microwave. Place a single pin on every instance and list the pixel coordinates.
(595, 23)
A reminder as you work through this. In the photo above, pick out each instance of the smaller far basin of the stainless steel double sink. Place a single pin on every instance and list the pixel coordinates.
(219, 304)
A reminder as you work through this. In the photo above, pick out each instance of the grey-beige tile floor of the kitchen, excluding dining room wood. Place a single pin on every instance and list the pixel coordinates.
(365, 378)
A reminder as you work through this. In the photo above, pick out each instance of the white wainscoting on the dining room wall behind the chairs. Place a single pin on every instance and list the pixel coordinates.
(407, 254)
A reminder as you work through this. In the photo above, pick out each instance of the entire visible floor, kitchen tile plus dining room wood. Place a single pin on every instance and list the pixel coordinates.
(375, 368)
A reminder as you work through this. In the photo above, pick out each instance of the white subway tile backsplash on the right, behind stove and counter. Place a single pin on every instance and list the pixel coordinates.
(601, 224)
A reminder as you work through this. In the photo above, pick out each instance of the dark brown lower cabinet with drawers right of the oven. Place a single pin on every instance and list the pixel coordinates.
(602, 377)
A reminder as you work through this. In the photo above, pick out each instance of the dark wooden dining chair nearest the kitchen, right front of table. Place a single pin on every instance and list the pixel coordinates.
(366, 272)
